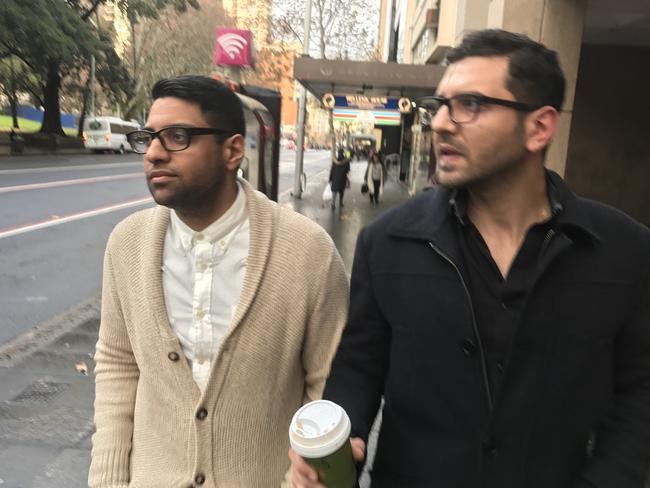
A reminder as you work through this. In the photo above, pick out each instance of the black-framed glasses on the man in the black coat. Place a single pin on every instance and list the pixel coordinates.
(465, 107)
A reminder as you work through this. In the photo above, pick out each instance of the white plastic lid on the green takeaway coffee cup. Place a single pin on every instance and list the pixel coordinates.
(318, 429)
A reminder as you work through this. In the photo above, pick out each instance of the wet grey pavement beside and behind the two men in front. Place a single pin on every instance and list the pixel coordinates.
(46, 400)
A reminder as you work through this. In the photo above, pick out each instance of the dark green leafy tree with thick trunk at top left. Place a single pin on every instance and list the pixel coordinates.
(58, 37)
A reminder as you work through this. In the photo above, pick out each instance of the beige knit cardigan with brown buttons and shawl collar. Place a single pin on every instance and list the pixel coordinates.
(274, 357)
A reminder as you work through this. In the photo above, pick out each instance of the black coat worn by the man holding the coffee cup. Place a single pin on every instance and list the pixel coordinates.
(574, 405)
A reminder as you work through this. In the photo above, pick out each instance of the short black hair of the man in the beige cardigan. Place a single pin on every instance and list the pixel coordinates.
(220, 105)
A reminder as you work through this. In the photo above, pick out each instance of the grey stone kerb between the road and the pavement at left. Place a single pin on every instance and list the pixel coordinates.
(49, 330)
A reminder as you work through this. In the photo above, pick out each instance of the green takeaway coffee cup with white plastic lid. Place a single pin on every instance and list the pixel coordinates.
(320, 433)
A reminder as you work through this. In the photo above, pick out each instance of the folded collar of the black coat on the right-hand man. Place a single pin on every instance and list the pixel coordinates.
(430, 216)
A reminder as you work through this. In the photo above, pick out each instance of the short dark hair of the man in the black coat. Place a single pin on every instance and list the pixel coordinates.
(534, 73)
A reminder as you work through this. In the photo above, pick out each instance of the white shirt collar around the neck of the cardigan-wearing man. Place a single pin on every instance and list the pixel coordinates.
(186, 238)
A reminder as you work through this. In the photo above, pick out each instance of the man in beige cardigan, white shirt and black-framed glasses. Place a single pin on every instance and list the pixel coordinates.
(221, 311)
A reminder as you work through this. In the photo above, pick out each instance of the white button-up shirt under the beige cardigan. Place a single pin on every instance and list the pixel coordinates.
(203, 274)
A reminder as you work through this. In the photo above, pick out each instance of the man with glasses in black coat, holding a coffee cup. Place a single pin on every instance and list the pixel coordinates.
(504, 320)
